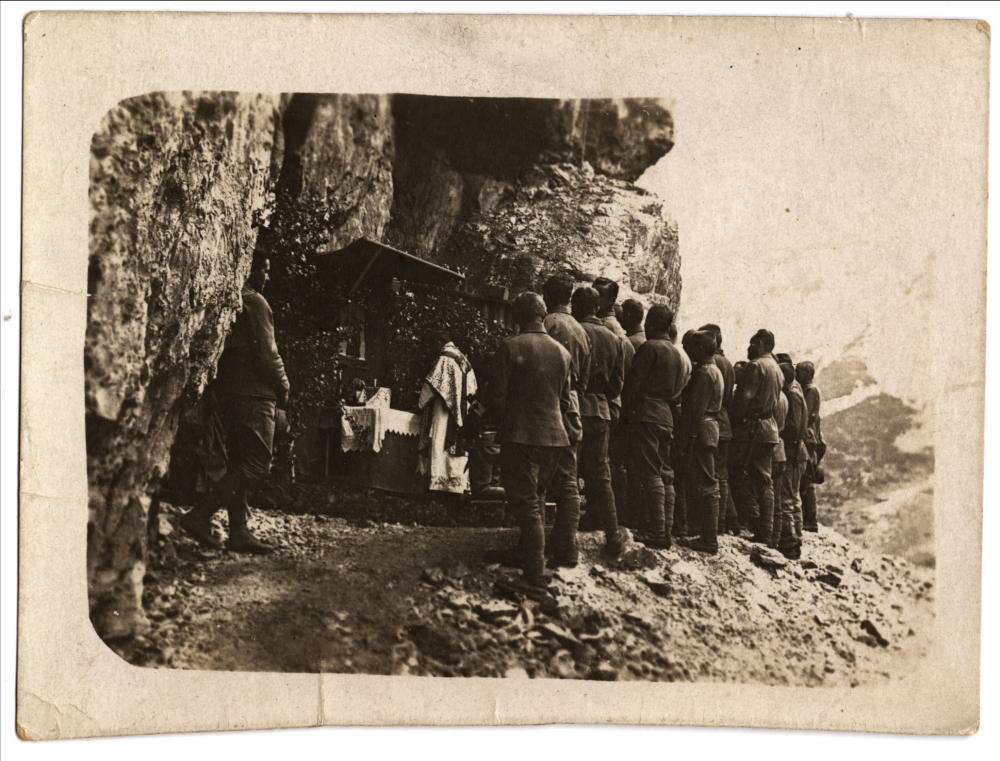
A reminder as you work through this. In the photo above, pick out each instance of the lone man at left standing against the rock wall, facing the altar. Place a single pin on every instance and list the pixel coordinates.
(250, 382)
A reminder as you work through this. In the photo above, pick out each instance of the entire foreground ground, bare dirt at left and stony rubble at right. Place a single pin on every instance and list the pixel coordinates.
(393, 599)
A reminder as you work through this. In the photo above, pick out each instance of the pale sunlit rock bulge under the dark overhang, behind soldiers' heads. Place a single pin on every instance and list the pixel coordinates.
(563, 218)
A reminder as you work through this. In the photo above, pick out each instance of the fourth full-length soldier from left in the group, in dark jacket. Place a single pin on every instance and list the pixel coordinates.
(654, 381)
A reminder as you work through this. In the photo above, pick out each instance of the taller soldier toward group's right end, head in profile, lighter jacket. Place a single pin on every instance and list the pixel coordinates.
(755, 435)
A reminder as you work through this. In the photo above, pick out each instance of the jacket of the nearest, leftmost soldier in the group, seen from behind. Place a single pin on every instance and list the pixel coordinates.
(531, 389)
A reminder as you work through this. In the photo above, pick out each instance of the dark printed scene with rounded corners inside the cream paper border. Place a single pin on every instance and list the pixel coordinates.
(418, 385)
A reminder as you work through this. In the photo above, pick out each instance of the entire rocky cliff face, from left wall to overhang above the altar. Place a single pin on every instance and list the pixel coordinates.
(508, 191)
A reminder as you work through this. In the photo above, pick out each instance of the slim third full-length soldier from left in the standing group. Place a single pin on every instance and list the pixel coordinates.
(607, 373)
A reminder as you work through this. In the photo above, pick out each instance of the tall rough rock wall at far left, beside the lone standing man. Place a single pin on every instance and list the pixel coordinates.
(176, 182)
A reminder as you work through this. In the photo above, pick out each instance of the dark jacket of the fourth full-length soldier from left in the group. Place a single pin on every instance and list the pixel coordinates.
(657, 378)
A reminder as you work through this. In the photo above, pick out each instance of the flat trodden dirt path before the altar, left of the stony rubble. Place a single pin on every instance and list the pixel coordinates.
(331, 600)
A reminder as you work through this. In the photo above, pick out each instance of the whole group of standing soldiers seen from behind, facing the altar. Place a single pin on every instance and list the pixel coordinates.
(657, 433)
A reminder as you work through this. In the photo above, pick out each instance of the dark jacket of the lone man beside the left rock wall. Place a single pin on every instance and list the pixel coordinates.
(250, 364)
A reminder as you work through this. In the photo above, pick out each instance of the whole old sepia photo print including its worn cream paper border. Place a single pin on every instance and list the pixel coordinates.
(457, 371)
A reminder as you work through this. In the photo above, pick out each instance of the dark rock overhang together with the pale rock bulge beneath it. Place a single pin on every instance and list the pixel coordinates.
(510, 191)
